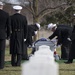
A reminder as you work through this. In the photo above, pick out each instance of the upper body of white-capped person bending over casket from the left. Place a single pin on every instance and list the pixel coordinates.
(32, 30)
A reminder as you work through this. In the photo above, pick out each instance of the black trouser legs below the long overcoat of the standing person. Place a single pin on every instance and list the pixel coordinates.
(16, 59)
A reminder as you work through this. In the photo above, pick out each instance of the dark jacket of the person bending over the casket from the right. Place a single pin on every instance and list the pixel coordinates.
(62, 32)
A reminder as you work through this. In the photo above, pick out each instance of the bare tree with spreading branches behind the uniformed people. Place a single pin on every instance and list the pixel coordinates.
(40, 8)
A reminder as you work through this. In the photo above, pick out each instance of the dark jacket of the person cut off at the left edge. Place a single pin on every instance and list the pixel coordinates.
(4, 25)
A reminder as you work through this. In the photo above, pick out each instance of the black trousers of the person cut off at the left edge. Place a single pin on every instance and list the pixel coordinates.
(2, 53)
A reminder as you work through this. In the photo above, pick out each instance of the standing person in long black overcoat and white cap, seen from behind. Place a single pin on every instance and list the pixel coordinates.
(18, 36)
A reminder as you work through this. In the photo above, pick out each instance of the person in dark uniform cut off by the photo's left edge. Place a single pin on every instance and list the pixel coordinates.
(4, 31)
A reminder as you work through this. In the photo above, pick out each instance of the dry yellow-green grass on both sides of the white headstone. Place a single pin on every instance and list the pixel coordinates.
(64, 69)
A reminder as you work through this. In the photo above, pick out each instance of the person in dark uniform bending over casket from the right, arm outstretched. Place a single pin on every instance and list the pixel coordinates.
(63, 33)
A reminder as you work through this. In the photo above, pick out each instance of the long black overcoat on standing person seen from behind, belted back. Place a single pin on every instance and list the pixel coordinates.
(19, 33)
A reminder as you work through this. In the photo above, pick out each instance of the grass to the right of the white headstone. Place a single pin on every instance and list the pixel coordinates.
(65, 69)
